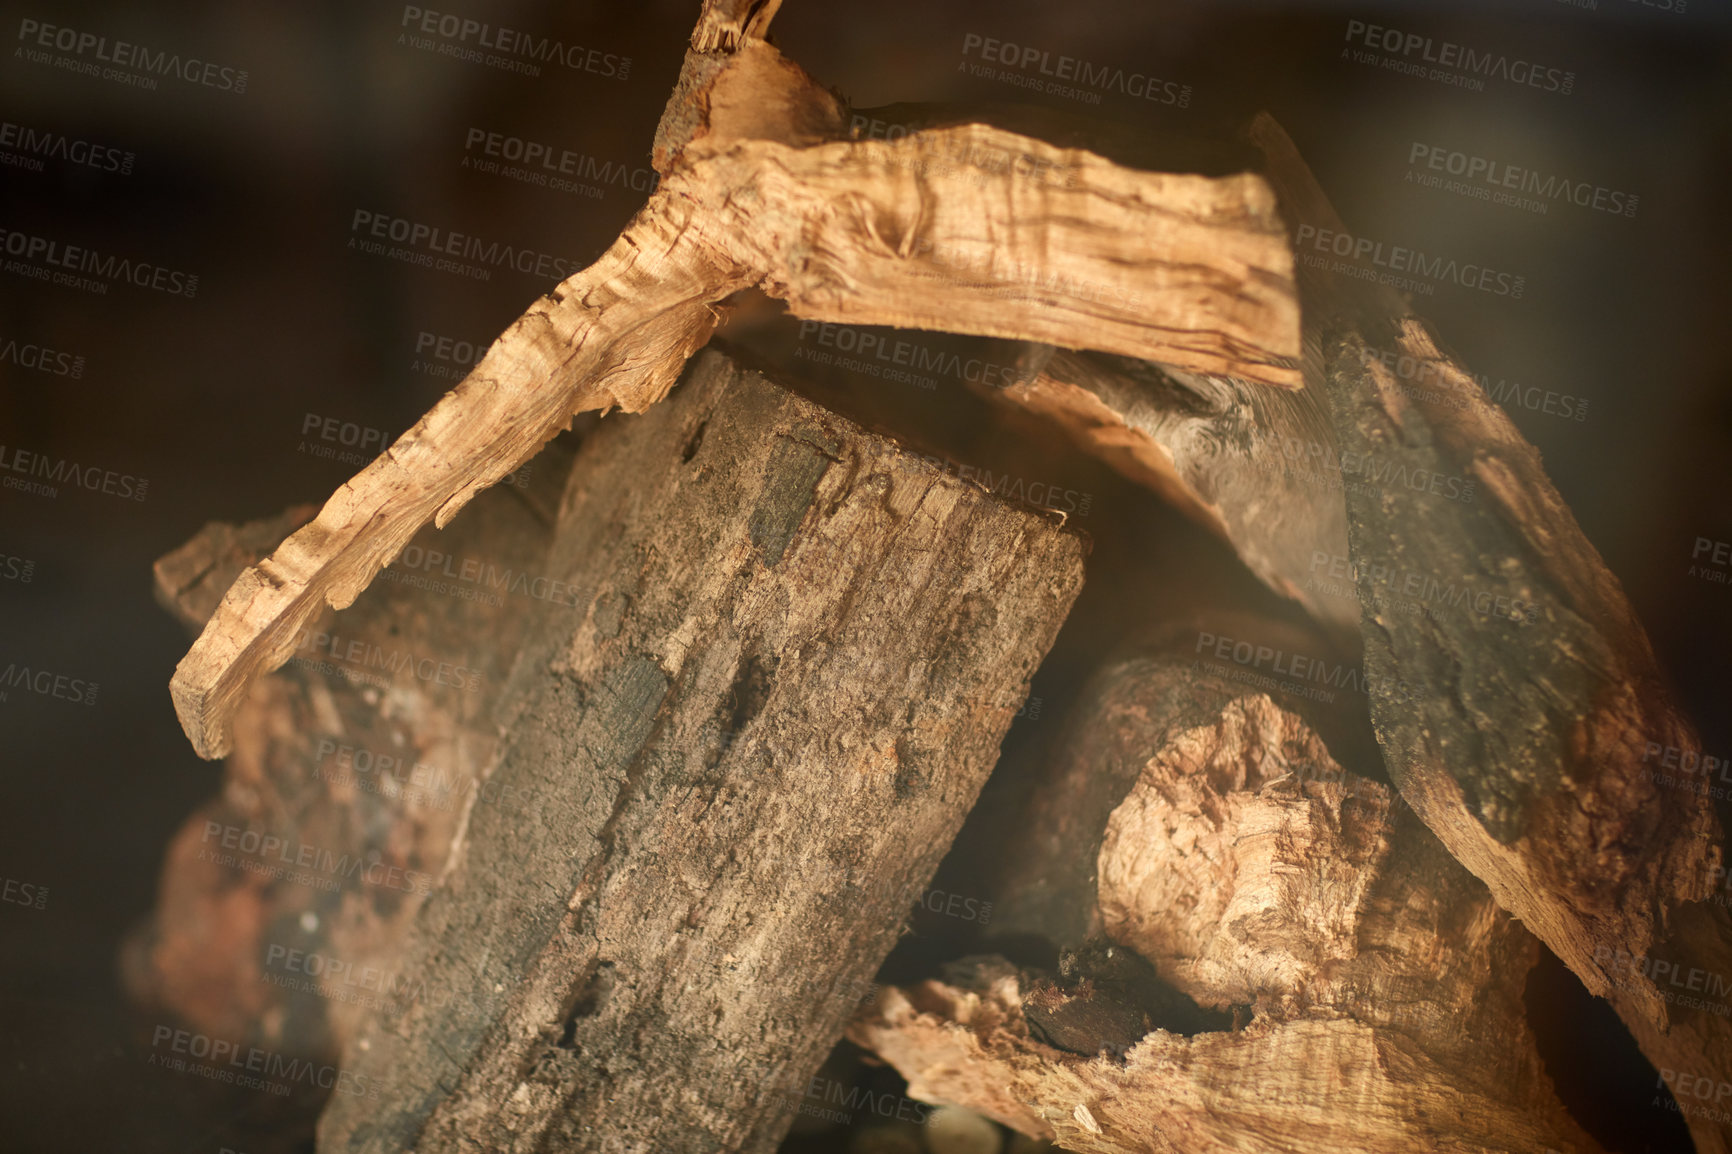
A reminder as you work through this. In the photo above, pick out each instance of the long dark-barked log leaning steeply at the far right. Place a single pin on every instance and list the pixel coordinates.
(1523, 715)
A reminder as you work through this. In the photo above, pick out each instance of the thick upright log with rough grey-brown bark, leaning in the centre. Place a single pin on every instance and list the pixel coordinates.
(796, 654)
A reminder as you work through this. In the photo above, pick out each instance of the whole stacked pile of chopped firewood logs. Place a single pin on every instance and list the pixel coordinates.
(593, 817)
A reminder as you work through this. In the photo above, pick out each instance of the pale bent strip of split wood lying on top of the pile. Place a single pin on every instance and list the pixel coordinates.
(969, 230)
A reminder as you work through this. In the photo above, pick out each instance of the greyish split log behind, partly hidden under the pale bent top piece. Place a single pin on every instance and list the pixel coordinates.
(1239, 458)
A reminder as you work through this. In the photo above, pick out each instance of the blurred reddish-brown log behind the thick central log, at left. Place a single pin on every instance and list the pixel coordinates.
(356, 762)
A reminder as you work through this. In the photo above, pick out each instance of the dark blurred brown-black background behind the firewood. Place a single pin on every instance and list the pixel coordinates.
(255, 195)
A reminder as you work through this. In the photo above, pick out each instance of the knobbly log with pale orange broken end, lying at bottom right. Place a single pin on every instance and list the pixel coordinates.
(1376, 987)
